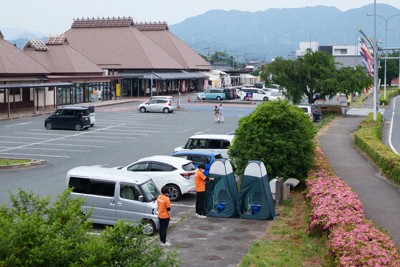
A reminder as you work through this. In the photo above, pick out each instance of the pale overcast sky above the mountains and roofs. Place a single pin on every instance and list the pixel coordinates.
(56, 16)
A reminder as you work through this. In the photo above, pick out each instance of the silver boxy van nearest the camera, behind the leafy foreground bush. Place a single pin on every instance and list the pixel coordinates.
(114, 195)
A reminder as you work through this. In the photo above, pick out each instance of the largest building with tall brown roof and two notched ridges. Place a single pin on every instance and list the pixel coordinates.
(145, 55)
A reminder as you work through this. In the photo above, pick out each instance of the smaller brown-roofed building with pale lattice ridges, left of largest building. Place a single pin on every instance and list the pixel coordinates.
(66, 64)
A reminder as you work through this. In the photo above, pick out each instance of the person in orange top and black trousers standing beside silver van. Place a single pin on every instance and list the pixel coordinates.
(164, 209)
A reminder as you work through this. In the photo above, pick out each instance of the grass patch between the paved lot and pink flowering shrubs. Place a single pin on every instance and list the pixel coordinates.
(286, 242)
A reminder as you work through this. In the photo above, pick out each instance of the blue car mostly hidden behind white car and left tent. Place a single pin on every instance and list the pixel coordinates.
(199, 157)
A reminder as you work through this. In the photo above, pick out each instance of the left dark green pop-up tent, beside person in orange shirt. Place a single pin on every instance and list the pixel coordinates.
(222, 193)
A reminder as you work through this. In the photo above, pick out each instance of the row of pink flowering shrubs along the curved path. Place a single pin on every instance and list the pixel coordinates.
(352, 239)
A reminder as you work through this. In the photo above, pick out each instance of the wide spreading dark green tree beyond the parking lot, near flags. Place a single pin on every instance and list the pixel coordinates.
(317, 74)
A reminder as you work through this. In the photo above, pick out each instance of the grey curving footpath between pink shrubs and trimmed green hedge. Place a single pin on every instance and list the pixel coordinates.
(380, 197)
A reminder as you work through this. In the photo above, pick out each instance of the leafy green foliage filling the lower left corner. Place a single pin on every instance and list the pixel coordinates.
(33, 233)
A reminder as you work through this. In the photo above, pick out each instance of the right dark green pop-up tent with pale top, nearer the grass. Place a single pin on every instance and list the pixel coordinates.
(255, 197)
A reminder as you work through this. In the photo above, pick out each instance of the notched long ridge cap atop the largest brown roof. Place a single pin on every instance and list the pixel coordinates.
(102, 22)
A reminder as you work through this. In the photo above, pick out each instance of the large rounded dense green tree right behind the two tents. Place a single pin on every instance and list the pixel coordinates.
(279, 135)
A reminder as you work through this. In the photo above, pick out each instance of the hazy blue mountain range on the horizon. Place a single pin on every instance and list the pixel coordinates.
(263, 35)
